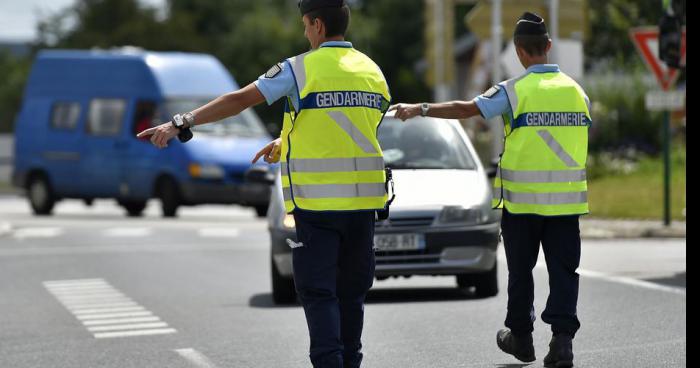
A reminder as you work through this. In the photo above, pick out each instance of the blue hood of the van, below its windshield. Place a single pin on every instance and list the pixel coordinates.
(224, 150)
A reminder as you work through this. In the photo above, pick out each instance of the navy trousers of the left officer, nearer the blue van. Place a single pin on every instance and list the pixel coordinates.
(333, 271)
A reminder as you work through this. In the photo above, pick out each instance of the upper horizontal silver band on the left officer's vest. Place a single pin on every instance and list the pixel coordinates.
(322, 165)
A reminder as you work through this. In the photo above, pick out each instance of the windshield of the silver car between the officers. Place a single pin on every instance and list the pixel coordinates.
(422, 143)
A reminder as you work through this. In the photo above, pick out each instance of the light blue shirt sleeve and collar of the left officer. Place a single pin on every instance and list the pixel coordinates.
(283, 84)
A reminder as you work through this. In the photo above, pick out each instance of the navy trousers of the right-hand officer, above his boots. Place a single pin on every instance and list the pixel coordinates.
(561, 243)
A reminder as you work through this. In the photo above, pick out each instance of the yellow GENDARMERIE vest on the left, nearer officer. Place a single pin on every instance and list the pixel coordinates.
(331, 159)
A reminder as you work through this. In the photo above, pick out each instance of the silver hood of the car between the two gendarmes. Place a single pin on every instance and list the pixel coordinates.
(434, 189)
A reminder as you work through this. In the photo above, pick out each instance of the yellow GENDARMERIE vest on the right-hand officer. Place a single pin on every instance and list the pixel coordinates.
(543, 167)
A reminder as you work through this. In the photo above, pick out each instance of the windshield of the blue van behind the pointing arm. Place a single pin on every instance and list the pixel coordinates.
(246, 124)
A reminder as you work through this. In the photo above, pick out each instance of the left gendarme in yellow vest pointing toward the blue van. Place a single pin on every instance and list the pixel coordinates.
(332, 172)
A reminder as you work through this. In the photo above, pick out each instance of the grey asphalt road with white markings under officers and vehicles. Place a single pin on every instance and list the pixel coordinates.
(195, 292)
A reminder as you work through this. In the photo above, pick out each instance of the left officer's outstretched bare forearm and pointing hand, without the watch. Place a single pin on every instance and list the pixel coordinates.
(222, 107)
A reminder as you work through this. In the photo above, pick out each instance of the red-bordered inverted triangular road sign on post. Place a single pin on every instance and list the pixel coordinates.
(647, 41)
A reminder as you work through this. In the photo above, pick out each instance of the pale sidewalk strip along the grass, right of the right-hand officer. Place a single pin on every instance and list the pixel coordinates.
(592, 228)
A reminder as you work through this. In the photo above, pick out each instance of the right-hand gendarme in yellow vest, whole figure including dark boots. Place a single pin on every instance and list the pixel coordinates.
(541, 186)
